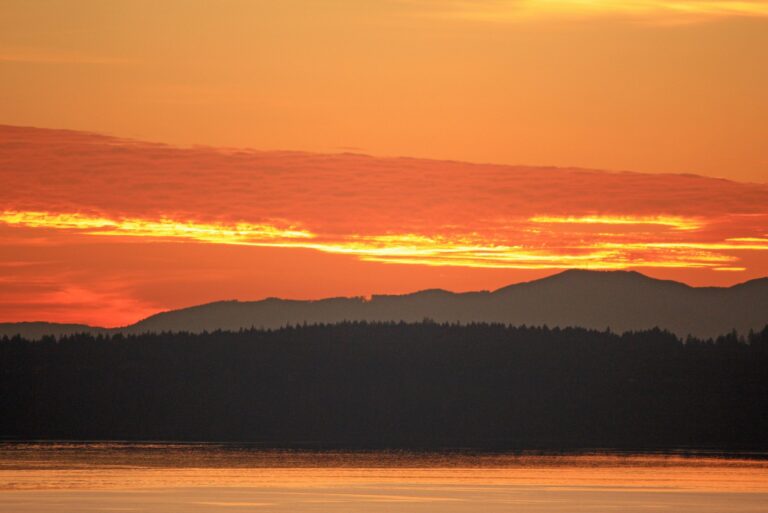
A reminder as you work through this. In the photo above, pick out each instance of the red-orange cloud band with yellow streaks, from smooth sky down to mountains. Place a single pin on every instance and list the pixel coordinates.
(345, 214)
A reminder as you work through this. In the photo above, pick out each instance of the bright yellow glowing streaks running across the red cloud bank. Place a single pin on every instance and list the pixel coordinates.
(544, 251)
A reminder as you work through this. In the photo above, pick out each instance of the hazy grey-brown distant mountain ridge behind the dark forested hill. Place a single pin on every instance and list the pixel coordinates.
(619, 300)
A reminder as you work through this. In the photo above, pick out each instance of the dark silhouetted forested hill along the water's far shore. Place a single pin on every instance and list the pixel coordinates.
(392, 385)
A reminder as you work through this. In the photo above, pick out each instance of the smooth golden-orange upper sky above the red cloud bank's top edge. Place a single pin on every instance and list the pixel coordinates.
(642, 85)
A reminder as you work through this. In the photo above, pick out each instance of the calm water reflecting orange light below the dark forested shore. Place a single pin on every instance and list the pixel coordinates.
(71, 477)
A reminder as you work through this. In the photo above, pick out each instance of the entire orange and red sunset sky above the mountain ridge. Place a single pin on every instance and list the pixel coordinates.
(155, 155)
